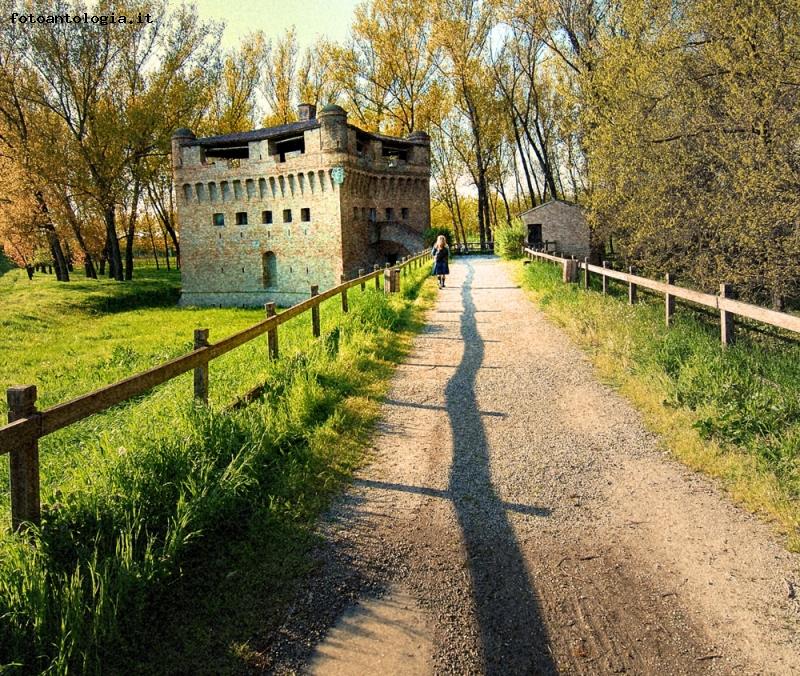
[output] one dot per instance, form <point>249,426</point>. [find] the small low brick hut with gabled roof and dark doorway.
<point>559,224</point>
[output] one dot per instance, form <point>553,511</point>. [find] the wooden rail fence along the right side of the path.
<point>724,303</point>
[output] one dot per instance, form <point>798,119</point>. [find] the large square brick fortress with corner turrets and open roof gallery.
<point>265,214</point>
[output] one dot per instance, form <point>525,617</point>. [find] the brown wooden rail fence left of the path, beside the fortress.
<point>20,438</point>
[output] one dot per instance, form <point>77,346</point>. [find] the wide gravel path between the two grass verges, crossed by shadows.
<point>519,519</point>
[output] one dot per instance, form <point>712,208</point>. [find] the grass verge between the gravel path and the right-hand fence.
<point>733,413</point>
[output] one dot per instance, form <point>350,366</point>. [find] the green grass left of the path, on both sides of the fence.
<point>162,513</point>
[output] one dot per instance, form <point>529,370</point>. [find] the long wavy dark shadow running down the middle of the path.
<point>512,630</point>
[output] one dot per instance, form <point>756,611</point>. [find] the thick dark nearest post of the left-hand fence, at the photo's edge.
<point>24,462</point>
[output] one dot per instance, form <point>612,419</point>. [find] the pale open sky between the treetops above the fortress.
<point>311,18</point>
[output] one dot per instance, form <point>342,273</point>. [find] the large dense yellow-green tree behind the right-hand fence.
<point>694,153</point>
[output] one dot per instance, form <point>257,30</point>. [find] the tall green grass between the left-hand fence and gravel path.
<point>163,485</point>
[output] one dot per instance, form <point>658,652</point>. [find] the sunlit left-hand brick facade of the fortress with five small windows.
<point>222,265</point>
